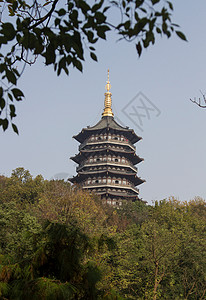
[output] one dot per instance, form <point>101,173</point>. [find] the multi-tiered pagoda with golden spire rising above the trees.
<point>107,158</point>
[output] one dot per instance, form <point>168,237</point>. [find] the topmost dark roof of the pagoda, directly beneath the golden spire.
<point>107,122</point>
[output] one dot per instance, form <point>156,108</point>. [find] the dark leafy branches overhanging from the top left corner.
<point>61,31</point>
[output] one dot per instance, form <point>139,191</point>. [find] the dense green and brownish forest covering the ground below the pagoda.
<point>58,242</point>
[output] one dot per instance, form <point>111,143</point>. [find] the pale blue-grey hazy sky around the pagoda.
<point>168,74</point>
